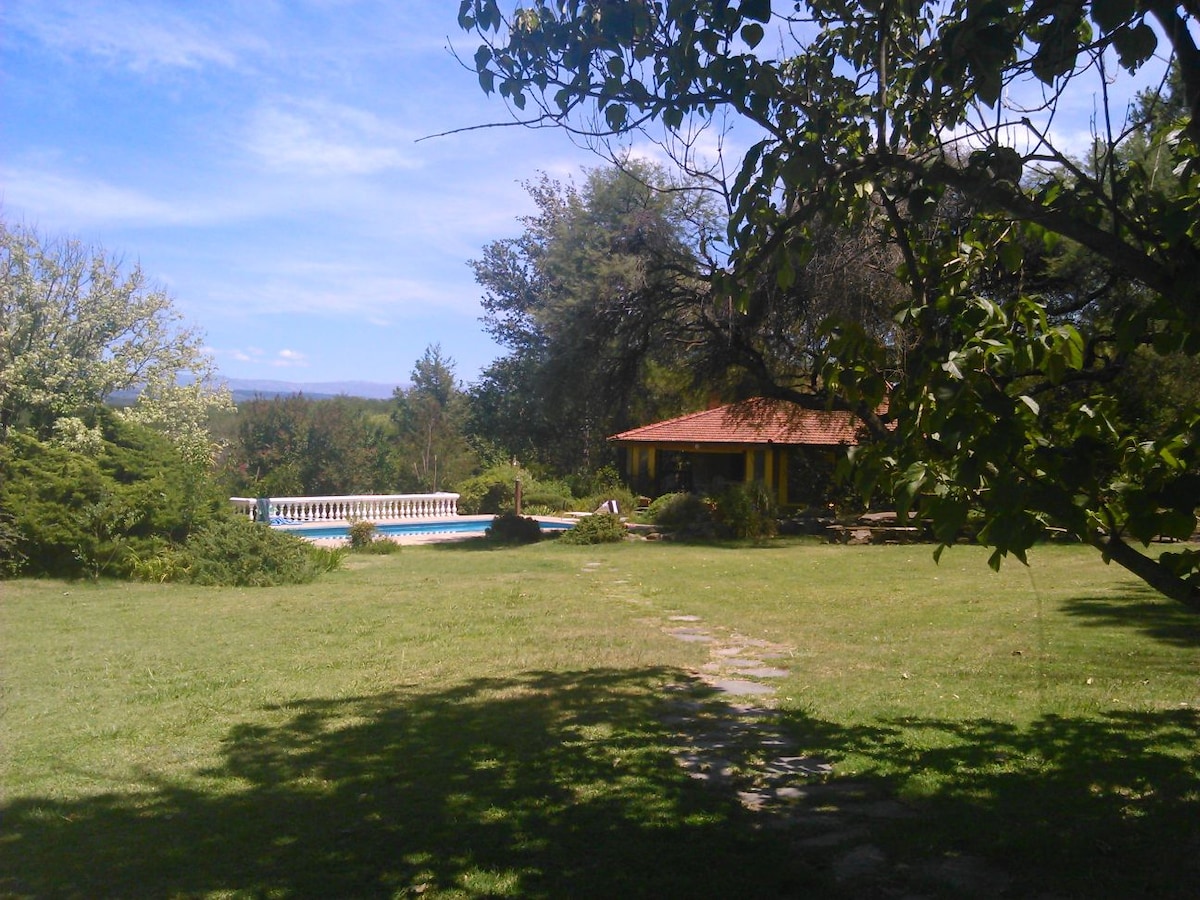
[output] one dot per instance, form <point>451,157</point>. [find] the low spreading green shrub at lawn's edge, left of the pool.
<point>237,553</point>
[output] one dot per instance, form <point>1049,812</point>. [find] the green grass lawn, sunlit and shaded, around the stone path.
<point>457,722</point>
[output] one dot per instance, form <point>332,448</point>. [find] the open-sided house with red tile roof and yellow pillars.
<point>790,449</point>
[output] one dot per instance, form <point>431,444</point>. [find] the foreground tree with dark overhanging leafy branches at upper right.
<point>937,124</point>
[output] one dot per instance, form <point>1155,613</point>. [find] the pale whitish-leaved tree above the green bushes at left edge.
<point>77,328</point>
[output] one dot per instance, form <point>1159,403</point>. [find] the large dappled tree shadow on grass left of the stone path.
<point>547,785</point>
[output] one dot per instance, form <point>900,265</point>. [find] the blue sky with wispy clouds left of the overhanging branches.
<point>261,161</point>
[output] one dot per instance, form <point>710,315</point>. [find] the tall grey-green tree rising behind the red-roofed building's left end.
<point>597,302</point>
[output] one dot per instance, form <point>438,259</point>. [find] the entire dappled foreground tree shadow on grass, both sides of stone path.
<point>551,785</point>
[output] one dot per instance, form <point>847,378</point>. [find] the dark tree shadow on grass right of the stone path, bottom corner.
<point>1096,807</point>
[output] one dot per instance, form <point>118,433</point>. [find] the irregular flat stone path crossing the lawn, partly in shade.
<point>728,739</point>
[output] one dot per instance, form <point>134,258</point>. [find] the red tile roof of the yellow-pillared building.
<point>752,422</point>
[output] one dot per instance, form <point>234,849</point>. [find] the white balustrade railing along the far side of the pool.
<point>370,507</point>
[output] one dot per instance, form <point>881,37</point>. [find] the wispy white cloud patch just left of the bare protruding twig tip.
<point>319,139</point>
